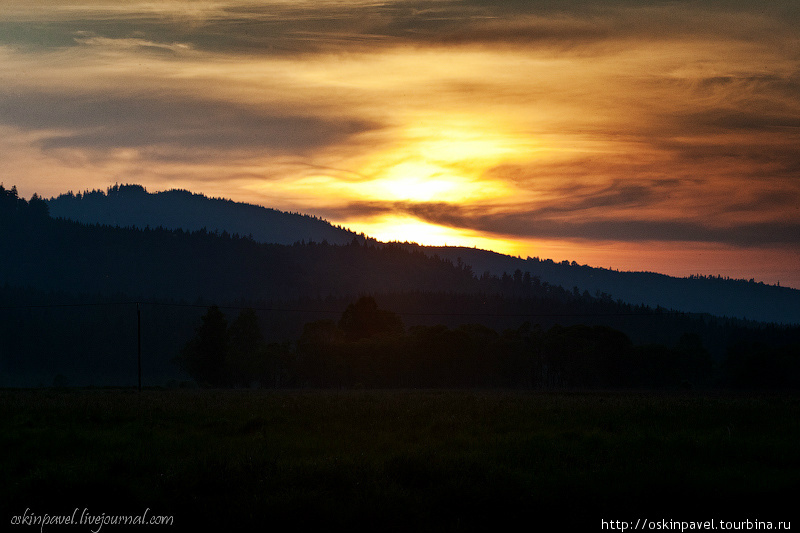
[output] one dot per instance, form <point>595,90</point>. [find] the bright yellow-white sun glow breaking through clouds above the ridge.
<point>435,163</point>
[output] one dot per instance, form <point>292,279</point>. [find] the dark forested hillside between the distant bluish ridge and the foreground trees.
<point>67,295</point>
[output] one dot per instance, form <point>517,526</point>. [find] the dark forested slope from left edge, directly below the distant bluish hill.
<point>56,254</point>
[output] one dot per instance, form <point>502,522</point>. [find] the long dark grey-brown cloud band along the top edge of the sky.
<point>287,28</point>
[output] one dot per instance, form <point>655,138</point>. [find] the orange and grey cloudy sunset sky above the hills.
<point>635,135</point>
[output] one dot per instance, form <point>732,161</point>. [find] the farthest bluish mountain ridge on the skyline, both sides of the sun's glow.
<point>133,206</point>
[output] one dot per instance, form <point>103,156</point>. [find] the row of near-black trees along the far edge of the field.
<point>370,348</point>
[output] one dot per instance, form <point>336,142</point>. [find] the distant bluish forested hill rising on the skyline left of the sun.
<point>133,206</point>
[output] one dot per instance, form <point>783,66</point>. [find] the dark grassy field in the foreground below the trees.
<point>397,461</point>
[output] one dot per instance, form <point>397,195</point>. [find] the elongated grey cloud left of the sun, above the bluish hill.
<point>104,121</point>
